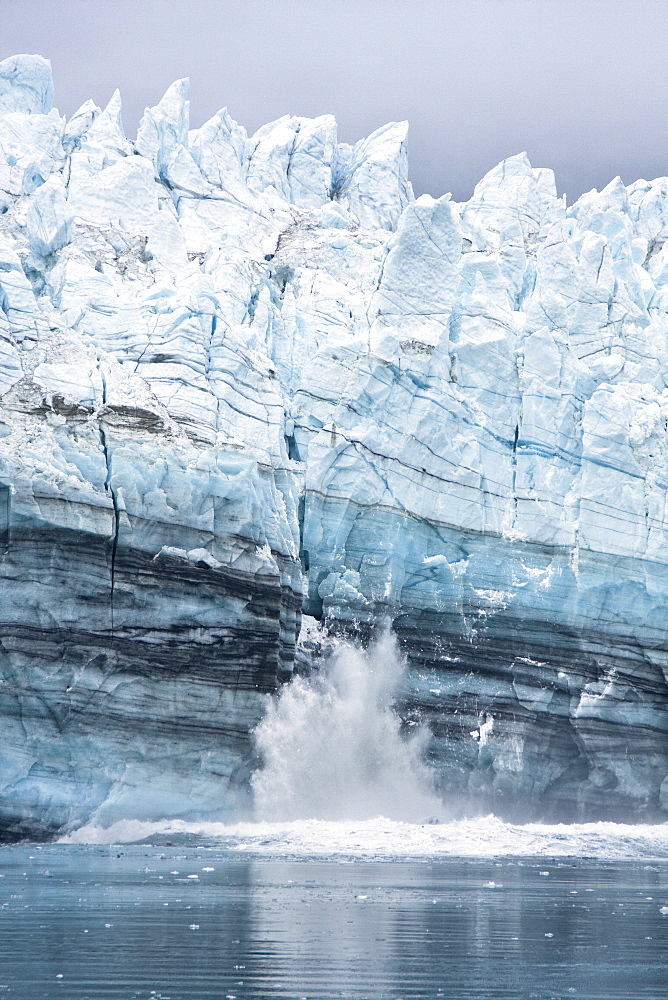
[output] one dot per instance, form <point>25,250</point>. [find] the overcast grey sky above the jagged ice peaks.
<point>582,85</point>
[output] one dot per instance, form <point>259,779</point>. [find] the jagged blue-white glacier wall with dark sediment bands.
<point>245,378</point>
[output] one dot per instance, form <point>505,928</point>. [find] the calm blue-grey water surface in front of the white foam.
<point>176,922</point>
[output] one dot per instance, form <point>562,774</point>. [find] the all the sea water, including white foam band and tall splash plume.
<point>347,884</point>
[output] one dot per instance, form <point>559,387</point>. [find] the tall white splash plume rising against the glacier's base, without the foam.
<point>332,745</point>
